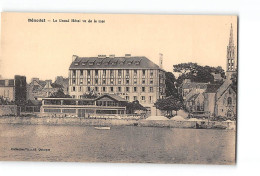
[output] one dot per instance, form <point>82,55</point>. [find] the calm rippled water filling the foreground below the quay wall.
<point>120,144</point>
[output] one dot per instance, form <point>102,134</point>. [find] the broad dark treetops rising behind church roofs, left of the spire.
<point>197,73</point>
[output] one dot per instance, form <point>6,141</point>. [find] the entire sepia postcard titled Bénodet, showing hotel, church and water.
<point>121,88</point>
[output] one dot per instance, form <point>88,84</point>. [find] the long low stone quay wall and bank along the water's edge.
<point>200,124</point>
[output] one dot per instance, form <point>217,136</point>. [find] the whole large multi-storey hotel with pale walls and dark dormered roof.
<point>130,77</point>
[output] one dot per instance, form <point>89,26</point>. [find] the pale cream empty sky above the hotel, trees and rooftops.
<point>45,49</point>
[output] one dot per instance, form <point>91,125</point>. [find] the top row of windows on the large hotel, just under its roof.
<point>112,72</point>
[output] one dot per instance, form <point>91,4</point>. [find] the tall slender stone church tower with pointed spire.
<point>231,56</point>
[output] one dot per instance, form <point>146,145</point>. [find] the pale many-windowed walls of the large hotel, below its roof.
<point>87,80</point>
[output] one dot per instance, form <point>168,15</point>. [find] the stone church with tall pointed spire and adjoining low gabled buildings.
<point>214,100</point>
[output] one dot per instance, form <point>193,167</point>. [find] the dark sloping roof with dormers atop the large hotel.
<point>130,62</point>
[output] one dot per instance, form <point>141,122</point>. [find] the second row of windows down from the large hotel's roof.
<point>112,81</point>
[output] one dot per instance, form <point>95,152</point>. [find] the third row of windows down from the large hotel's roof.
<point>111,89</point>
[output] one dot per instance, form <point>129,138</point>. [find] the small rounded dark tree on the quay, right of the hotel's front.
<point>169,104</point>
